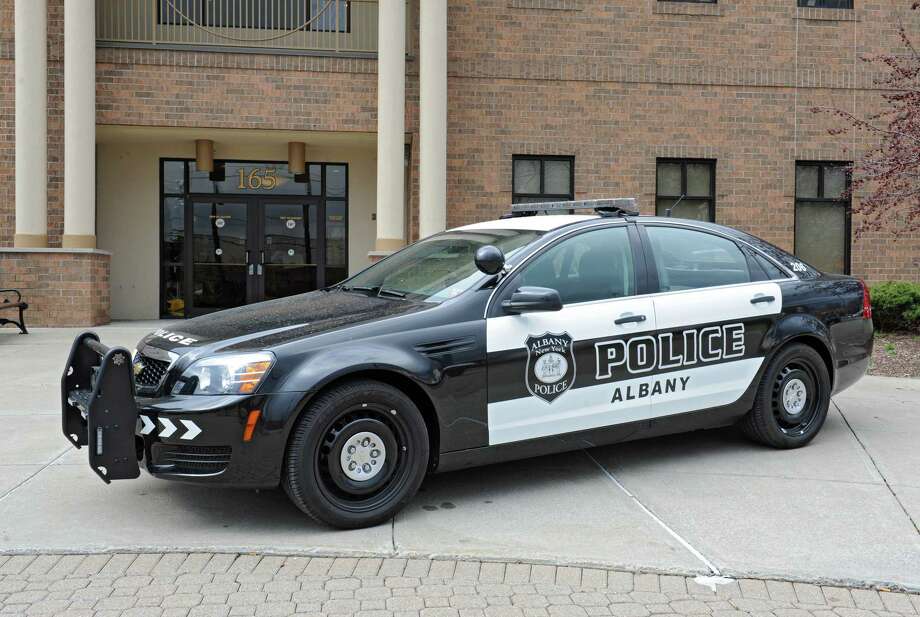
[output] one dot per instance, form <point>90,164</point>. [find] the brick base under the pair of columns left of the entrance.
<point>64,287</point>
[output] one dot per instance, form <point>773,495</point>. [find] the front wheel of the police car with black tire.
<point>341,423</point>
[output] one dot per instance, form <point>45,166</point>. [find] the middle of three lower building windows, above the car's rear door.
<point>687,187</point>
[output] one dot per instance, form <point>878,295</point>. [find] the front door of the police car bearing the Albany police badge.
<point>554,372</point>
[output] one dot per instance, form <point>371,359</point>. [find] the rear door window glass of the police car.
<point>688,259</point>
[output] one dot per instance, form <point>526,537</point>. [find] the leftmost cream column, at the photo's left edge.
<point>31,18</point>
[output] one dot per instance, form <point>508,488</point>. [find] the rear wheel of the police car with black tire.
<point>792,399</point>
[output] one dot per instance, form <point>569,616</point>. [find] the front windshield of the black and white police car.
<point>438,268</point>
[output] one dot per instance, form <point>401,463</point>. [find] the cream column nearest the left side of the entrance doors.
<point>79,124</point>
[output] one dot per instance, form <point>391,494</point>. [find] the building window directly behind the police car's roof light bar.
<point>543,178</point>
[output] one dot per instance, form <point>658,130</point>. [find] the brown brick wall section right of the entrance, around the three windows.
<point>617,84</point>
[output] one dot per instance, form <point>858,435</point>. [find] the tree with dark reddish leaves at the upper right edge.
<point>889,172</point>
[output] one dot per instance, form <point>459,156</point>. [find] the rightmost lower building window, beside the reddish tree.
<point>822,215</point>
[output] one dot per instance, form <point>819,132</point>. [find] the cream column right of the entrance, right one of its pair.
<point>433,117</point>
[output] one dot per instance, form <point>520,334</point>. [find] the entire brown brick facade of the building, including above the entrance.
<point>616,84</point>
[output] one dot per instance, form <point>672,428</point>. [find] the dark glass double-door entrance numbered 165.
<point>246,247</point>
